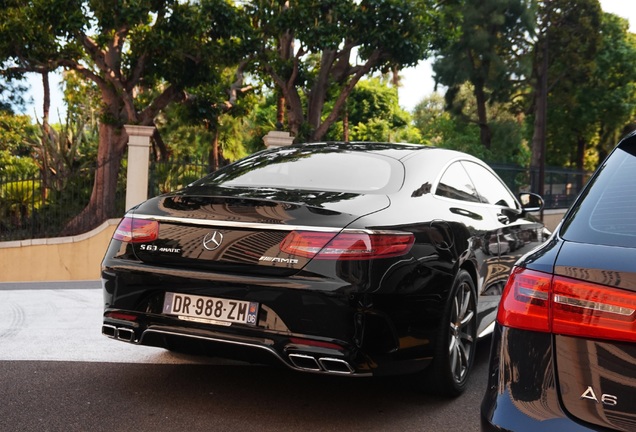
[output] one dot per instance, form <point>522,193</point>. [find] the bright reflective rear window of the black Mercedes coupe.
<point>296,168</point>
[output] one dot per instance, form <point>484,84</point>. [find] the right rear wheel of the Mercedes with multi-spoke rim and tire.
<point>455,345</point>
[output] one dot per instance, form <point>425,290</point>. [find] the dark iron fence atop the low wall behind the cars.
<point>34,207</point>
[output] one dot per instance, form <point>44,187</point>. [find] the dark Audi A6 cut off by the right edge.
<point>564,348</point>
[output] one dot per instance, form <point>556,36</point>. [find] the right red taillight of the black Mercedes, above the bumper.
<point>346,245</point>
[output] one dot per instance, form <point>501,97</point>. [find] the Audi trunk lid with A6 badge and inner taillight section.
<point>596,361</point>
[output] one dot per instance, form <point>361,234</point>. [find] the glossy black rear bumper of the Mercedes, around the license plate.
<point>331,328</point>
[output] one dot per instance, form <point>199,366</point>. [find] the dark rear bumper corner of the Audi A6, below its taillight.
<point>522,392</point>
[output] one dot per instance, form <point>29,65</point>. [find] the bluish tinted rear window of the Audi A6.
<point>606,213</point>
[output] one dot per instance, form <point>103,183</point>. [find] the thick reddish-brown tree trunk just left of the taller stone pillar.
<point>102,202</point>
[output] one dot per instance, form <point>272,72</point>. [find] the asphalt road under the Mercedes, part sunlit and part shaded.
<point>57,373</point>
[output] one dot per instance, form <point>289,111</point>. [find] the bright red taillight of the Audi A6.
<point>541,302</point>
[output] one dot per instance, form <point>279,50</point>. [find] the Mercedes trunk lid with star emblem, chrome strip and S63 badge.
<point>243,232</point>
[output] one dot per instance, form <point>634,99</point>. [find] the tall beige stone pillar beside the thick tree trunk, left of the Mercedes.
<point>138,161</point>
